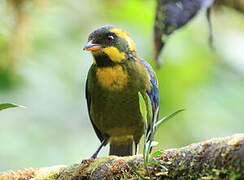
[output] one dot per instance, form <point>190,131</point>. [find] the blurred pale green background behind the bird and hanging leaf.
<point>43,67</point>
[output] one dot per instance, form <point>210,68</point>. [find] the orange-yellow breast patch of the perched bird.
<point>112,78</point>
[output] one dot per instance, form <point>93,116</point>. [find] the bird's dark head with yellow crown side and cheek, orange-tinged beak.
<point>110,45</point>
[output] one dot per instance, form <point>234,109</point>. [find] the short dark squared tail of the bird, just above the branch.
<point>121,149</point>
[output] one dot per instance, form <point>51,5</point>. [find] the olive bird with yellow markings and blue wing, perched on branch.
<point>119,84</point>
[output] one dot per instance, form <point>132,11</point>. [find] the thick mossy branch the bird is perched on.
<point>220,158</point>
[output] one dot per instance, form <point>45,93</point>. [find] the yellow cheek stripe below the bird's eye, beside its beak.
<point>114,54</point>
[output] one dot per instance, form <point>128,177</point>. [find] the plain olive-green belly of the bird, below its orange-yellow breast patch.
<point>117,114</point>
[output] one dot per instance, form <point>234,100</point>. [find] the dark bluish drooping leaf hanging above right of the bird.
<point>172,15</point>
